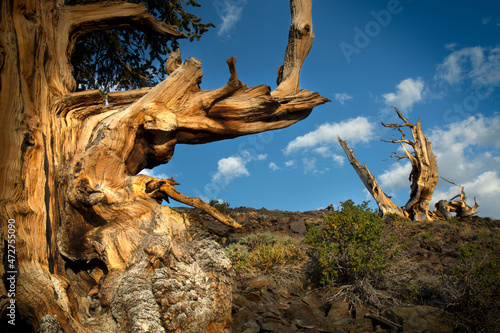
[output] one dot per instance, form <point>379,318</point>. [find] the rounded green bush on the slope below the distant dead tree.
<point>350,244</point>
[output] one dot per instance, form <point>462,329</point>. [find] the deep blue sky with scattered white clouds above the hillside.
<point>437,61</point>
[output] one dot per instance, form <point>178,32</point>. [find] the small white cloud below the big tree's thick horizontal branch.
<point>232,167</point>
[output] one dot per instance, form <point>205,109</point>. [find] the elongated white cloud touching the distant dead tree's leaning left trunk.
<point>354,130</point>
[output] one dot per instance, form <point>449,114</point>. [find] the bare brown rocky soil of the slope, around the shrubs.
<point>415,295</point>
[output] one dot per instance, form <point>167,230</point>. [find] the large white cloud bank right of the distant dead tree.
<point>468,153</point>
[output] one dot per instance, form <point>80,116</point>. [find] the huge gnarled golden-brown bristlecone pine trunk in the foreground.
<point>95,249</point>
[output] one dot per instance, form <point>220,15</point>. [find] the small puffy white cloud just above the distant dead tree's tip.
<point>408,92</point>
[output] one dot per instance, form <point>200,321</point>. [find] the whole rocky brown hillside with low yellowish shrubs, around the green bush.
<point>442,278</point>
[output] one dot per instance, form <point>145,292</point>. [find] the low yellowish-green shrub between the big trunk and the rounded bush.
<point>264,252</point>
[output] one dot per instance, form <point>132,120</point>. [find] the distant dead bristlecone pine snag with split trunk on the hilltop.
<point>423,177</point>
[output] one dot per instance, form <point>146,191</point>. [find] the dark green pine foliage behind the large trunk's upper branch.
<point>131,58</point>
